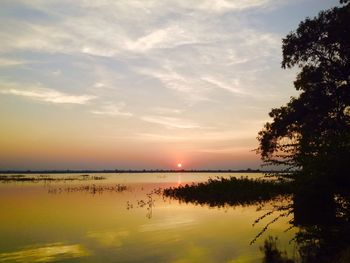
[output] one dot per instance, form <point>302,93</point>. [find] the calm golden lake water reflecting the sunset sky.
<point>88,221</point>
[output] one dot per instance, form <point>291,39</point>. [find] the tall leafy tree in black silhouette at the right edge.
<point>310,135</point>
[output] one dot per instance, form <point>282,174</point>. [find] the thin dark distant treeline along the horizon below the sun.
<point>132,171</point>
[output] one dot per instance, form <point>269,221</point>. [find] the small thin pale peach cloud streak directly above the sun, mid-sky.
<point>171,122</point>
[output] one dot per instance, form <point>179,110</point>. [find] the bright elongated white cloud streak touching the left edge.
<point>46,95</point>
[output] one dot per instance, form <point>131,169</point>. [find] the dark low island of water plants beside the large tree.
<point>230,191</point>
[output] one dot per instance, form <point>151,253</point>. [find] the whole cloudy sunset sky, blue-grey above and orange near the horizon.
<point>142,84</point>
